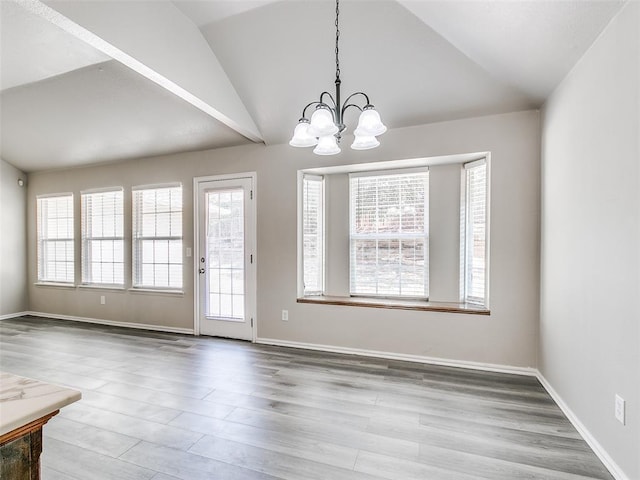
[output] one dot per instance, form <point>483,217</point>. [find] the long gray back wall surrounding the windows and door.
<point>507,337</point>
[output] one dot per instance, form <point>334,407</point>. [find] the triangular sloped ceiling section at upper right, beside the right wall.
<point>531,45</point>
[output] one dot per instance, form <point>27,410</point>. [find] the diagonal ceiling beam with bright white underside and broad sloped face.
<point>157,41</point>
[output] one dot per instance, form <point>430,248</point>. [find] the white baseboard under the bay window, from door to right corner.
<point>488,367</point>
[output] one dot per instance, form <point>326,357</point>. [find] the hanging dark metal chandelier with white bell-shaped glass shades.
<point>324,129</point>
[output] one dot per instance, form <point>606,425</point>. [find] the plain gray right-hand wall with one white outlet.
<point>590,336</point>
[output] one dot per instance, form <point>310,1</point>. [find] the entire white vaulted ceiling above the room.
<point>94,81</point>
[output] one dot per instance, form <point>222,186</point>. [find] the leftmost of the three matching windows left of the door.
<point>55,238</point>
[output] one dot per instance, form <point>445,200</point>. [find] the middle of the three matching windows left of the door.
<point>103,237</point>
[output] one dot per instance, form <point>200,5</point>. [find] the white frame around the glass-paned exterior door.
<point>250,241</point>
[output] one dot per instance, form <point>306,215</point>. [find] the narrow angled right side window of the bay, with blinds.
<point>474,232</point>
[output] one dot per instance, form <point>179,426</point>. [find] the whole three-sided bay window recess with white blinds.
<point>406,234</point>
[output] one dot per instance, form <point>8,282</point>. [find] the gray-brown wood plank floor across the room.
<point>165,407</point>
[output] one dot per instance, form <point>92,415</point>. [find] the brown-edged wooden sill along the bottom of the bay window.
<point>399,304</point>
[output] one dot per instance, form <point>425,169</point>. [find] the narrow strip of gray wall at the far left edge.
<point>13,241</point>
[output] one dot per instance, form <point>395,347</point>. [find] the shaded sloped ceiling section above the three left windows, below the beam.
<point>101,113</point>
